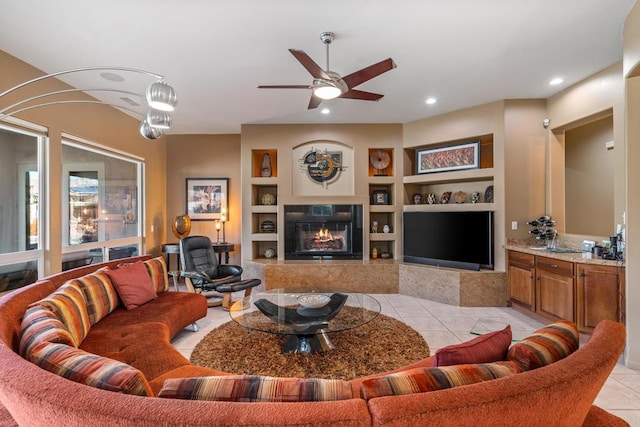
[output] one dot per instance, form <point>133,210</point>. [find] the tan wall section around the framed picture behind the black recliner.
<point>204,156</point>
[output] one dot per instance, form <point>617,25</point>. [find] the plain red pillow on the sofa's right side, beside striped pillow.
<point>487,348</point>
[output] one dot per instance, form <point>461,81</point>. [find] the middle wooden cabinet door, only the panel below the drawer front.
<point>554,294</point>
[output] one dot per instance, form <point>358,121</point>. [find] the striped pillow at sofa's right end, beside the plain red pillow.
<point>546,345</point>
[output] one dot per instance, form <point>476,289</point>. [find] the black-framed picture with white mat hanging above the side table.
<point>207,199</point>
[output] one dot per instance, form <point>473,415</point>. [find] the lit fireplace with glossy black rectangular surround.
<point>323,231</point>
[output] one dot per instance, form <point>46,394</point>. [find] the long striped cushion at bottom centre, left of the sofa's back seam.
<point>254,388</point>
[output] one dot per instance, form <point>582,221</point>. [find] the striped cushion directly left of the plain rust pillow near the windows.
<point>100,294</point>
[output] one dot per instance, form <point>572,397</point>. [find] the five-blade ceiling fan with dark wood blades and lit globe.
<point>328,84</point>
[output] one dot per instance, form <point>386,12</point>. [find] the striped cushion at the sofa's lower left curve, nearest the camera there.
<point>90,369</point>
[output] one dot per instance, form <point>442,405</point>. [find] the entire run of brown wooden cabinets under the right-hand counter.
<point>551,289</point>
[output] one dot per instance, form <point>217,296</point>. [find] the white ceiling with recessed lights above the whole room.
<point>215,52</point>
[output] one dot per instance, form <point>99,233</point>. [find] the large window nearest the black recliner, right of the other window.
<point>101,204</point>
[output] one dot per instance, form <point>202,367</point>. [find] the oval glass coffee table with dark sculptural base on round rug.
<point>306,317</point>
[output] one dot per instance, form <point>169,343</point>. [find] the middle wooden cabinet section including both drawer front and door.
<point>554,289</point>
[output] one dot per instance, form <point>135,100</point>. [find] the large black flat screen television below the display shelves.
<point>449,239</point>
